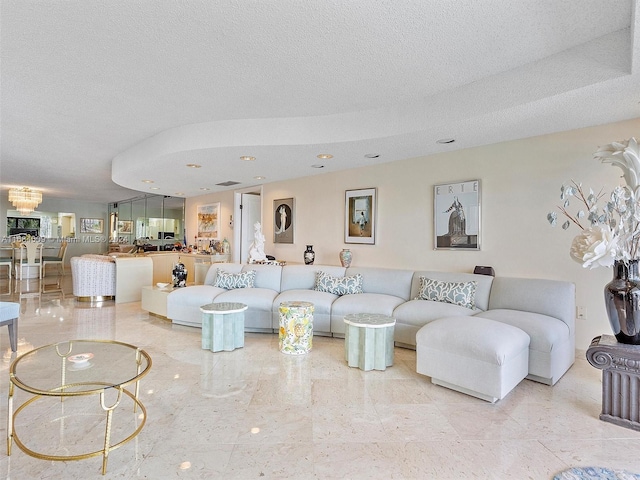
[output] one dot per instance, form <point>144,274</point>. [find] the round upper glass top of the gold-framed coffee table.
<point>78,367</point>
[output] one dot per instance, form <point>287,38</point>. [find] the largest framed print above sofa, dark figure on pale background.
<point>457,215</point>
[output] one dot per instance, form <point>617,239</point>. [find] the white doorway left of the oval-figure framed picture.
<point>247,211</point>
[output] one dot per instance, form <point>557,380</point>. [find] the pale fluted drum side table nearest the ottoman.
<point>368,340</point>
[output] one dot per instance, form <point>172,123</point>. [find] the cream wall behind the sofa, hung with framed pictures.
<point>520,184</point>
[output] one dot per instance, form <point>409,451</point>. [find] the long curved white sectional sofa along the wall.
<point>543,309</point>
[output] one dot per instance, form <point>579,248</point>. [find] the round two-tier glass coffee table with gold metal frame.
<point>78,368</point>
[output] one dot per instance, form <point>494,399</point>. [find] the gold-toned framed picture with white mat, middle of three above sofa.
<point>360,216</point>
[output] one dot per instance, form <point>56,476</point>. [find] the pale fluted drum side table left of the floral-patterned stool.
<point>223,326</point>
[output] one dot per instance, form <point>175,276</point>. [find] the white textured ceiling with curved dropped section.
<point>98,95</point>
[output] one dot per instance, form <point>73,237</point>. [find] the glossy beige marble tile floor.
<point>256,413</point>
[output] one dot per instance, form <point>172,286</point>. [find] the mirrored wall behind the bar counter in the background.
<point>153,222</point>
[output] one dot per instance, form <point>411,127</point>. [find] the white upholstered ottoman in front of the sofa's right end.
<point>475,356</point>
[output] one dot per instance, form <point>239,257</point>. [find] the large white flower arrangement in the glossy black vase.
<point>612,231</point>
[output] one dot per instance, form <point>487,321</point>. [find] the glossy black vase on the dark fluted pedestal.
<point>622,301</point>
